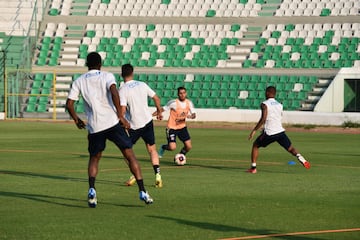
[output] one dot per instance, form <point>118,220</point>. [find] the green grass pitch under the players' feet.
<point>43,172</point>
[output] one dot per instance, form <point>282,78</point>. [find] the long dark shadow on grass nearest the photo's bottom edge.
<point>228,228</point>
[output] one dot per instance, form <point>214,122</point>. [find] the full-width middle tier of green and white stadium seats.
<point>204,45</point>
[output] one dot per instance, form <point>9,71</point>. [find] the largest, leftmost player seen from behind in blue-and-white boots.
<point>102,107</point>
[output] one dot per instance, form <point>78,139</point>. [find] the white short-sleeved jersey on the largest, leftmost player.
<point>94,86</point>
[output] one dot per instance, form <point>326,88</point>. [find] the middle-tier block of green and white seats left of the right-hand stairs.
<point>160,45</point>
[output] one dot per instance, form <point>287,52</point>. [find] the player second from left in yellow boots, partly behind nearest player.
<point>134,105</point>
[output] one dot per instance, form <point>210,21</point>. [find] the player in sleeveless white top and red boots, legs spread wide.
<point>271,114</point>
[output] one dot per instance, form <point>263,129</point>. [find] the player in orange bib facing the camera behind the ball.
<point>180,109</point>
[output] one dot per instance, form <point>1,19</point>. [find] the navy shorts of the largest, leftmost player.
<point>116,134</point>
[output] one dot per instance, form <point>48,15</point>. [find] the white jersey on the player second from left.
<point>134,95</point>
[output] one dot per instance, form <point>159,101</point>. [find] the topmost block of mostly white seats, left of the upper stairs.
<point>160,8</point>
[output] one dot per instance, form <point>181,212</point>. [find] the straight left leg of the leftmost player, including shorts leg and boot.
<point>96,144</point>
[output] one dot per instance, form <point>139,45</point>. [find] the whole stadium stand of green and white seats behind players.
<point>224,52</point>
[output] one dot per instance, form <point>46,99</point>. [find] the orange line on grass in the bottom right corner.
<point>294,234</point>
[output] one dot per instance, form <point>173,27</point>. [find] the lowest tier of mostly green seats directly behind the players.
<point>205,90</point>
